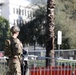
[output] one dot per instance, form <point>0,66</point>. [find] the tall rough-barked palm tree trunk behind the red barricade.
<point>50,33</point>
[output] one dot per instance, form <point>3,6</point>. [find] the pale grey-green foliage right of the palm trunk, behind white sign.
<point>65,21</point>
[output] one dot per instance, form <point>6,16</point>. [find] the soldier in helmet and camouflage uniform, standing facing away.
<point>13,49</point>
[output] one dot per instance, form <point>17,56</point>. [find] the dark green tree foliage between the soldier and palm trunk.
<point>36,28</point>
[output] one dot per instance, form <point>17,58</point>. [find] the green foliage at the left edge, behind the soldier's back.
<point>4,31</point>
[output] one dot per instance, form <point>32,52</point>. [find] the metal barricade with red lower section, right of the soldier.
<point>62,67</point>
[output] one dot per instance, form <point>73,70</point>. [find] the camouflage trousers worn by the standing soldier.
<point>14,66</point>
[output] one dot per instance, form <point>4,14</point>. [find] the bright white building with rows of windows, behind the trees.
<point>16,11</point>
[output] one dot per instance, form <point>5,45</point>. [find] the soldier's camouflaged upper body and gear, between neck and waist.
<point>12,47</point>
